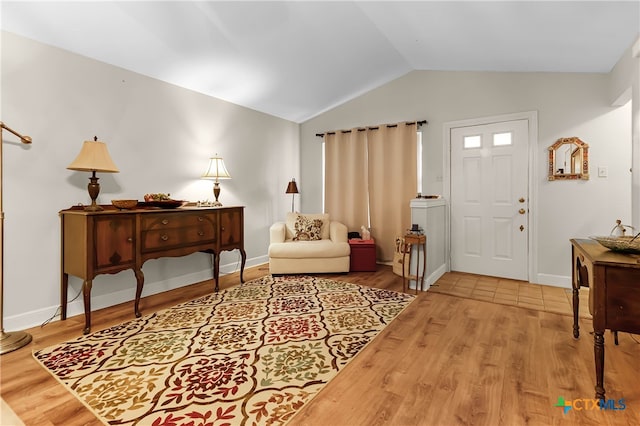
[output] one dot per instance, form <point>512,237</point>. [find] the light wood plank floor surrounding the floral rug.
<point>446,360</point>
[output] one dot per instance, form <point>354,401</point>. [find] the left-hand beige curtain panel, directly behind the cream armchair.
<point>346,178</point>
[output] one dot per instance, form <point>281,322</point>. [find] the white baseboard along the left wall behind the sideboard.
<point>40,316</point>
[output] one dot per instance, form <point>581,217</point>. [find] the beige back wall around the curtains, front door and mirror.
<point>567,105</point>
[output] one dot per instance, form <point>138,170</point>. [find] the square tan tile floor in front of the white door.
<point>512,292</point>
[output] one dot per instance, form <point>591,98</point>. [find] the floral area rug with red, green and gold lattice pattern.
<point>253,354</point>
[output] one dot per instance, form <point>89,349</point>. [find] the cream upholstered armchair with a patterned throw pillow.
<point>308,243</point>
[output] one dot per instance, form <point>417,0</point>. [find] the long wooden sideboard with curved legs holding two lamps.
<point>110,241</point>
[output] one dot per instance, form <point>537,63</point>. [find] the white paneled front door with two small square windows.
<point>489,199</point>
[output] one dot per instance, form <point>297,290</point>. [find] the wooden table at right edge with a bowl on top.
<point>614,294</point>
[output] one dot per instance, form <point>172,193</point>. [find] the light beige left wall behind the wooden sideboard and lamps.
<point>160,137</point>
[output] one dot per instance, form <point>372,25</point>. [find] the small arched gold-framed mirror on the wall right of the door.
<point>569,159</point>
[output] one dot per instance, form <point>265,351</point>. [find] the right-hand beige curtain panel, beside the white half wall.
<point>392,183</point>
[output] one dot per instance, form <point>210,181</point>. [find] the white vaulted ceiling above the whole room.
<point>297,59</point>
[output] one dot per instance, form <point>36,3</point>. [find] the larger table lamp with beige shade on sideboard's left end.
<point>94,157</point>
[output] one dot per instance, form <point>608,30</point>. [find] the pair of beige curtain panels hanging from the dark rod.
<point>370,178</point>
